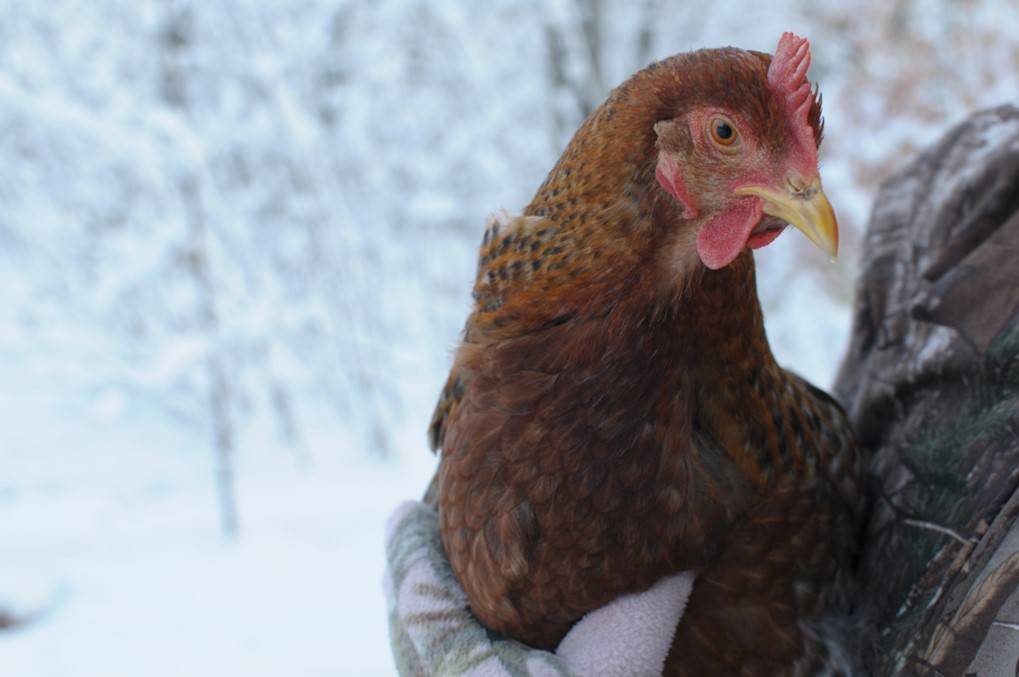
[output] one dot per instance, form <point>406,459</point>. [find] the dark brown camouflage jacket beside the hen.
<point>932,387</point>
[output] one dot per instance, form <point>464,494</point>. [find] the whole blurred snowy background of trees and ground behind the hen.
<point>237,245</point>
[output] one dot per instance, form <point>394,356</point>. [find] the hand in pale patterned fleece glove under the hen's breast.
<point>434,633</point>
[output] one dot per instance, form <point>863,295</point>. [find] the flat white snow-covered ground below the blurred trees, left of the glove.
<point>157,593</point>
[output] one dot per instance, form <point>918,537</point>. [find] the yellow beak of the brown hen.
<point>806,207</point>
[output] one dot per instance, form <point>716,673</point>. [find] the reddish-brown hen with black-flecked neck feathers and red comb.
<point>615,414</point>
